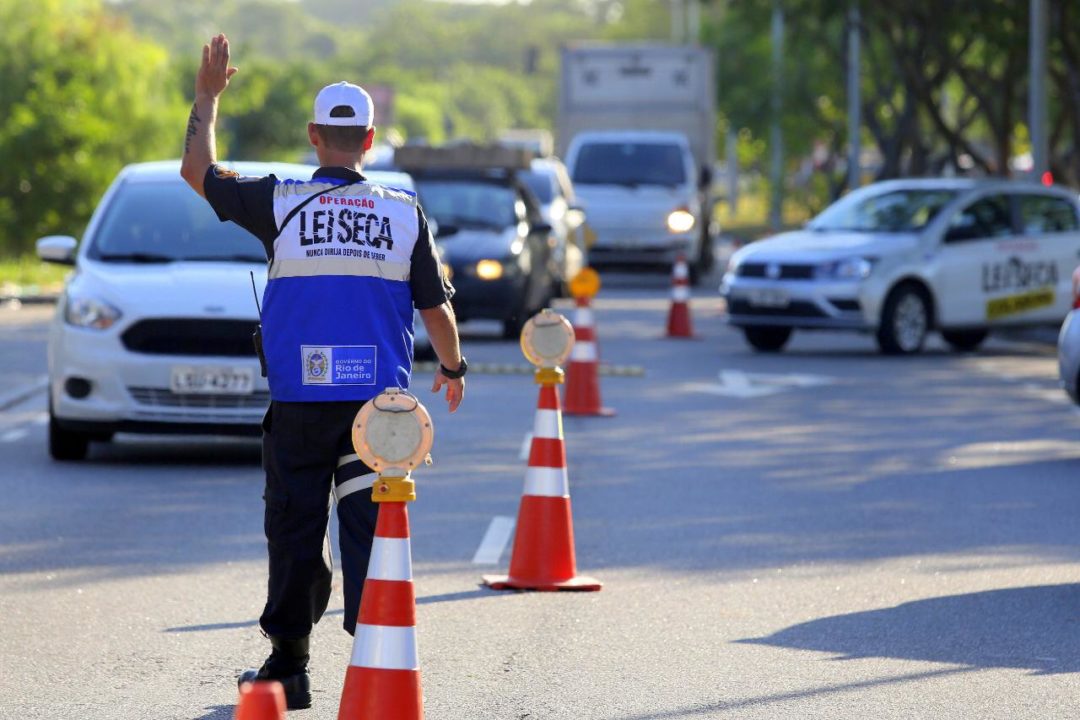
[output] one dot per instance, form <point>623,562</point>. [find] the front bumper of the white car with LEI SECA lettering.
<point>805,305</point>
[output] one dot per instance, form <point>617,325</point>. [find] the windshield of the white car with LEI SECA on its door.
<point>897,211</point>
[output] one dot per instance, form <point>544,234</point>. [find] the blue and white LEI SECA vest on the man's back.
<point>337,315</point>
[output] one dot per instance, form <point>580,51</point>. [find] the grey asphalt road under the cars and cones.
<point>822,534</point>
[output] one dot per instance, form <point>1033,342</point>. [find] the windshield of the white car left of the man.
<point>167,222</point>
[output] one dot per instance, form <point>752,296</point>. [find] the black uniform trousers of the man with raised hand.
<point>307,451</point>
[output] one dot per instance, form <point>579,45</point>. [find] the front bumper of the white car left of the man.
<point>130,392</point>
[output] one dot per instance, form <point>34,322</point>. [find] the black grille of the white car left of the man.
<point>225,338</point>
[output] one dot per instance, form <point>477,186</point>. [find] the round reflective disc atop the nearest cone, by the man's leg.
<point>394,430</point>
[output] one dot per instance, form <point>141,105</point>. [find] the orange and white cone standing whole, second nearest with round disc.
<point>543,559</point>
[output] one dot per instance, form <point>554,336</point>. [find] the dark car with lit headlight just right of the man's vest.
<point>492,235</point>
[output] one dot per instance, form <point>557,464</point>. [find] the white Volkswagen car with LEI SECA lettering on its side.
<point>901,259</point>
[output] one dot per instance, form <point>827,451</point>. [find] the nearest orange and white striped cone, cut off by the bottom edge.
<point>384,677</point>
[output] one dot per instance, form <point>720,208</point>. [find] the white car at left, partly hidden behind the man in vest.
<point>154,331</point>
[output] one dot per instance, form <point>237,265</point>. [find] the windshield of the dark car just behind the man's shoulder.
<point>467,205</point>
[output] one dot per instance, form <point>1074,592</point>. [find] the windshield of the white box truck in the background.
<point>630,165</point>
